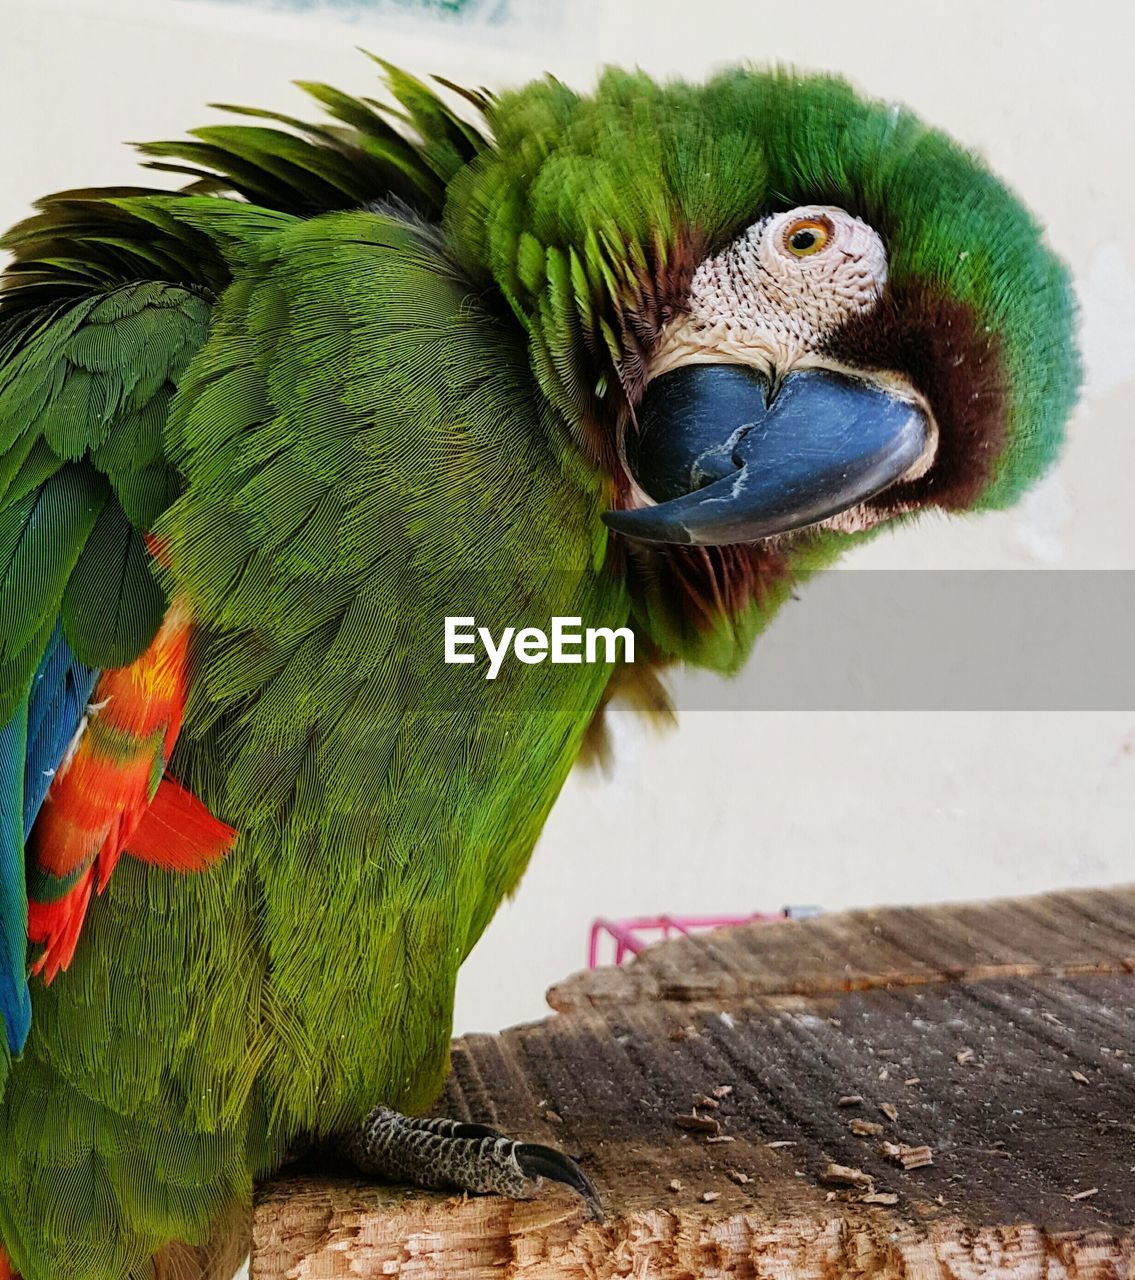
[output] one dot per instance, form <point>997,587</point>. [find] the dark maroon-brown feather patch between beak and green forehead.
<point>939,346</point>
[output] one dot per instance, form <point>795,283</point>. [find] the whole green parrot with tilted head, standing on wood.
<point>644,359</point>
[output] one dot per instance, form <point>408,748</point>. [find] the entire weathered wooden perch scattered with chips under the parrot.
<point>939,1092</point>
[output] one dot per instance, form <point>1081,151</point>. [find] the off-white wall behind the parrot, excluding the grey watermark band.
<point>826,808</point>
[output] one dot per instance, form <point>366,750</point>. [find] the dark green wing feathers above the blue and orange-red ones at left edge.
<point>83,406</point>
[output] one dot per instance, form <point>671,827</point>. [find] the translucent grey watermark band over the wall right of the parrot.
<point>940,641</point>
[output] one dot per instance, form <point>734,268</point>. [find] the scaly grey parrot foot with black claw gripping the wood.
<point>448,1154</point>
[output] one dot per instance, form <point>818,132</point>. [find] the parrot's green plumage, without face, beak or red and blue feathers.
<point>393,419</point>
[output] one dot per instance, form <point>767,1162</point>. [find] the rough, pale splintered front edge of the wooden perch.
<point>365,1235</point>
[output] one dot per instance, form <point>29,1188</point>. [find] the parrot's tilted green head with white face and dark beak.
<point>775,317</point>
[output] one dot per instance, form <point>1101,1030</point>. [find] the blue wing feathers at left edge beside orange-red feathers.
<point>33,746</point>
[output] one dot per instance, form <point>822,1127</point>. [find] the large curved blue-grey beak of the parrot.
<point>730,460</point>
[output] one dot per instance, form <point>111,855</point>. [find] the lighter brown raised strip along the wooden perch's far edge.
<point>1054,934</point>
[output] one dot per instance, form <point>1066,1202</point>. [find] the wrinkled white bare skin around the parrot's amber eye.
<point>774,295</point>
